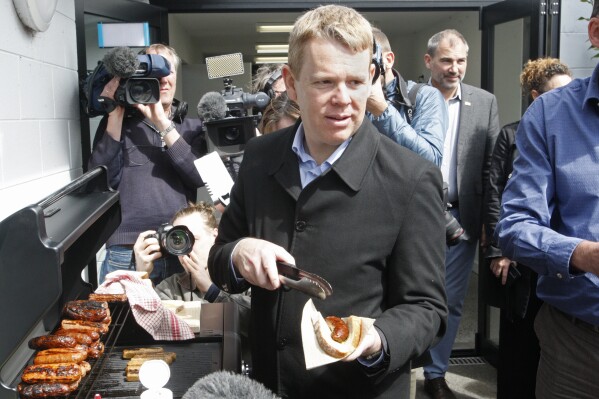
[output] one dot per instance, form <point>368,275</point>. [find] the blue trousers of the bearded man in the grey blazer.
<point>458,268</point>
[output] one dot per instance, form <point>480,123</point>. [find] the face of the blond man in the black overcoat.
<point>331,91</point>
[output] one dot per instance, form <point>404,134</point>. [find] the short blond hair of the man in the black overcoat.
<point>332,22</point>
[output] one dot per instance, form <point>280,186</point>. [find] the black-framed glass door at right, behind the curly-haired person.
<point>513,32</point>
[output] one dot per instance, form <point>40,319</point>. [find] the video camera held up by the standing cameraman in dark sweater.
<point>139,83</point>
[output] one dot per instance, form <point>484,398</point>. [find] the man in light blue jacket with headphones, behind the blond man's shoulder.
<point>422,132</point>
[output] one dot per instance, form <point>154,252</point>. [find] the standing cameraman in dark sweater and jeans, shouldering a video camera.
<point>149,151</point>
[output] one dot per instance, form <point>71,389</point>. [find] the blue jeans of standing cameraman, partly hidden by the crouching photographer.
<point>121,258</point>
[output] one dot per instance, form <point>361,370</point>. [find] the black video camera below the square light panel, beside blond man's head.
<point>229,135</point>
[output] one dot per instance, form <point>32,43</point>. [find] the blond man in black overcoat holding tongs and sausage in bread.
<point>333,196</point>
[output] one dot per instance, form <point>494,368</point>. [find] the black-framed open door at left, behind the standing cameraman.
<point>87,14</point>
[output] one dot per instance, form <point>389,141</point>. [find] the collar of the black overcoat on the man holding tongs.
<point>351,167</point>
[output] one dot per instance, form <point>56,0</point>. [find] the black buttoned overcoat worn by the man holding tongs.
<point>372,226</point>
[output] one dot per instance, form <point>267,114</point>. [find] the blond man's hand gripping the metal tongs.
<point>256,260</point>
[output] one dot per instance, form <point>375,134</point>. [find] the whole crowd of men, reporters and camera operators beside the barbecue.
<point>346,180</point>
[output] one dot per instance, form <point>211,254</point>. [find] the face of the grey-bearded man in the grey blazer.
<point>448,65</point>
